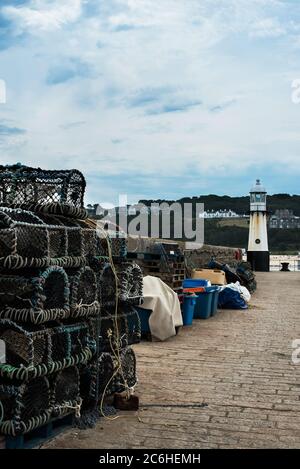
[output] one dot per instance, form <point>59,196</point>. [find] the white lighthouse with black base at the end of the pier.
<point>258,252</point>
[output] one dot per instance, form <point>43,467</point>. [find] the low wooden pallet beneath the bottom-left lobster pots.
<point>40,435</point>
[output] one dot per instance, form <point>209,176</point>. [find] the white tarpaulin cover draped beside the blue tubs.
<point>164,303</point>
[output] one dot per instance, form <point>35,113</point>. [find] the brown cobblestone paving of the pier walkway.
<point>238,364</point>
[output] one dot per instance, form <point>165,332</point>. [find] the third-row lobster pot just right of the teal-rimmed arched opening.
<point>84,293</point>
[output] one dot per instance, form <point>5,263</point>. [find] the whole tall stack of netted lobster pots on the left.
<point>61,349</point>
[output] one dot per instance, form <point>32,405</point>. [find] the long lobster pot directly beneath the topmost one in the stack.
<point>28,240</point>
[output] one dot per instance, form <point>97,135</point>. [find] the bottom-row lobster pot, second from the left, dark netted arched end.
<point>65,390</point>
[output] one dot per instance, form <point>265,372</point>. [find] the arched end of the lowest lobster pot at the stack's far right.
<point>127,371</point>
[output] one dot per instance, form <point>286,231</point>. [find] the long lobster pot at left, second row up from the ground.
<point>39,349</point>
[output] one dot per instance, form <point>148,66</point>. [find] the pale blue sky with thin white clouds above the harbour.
<point>153,98</point>
